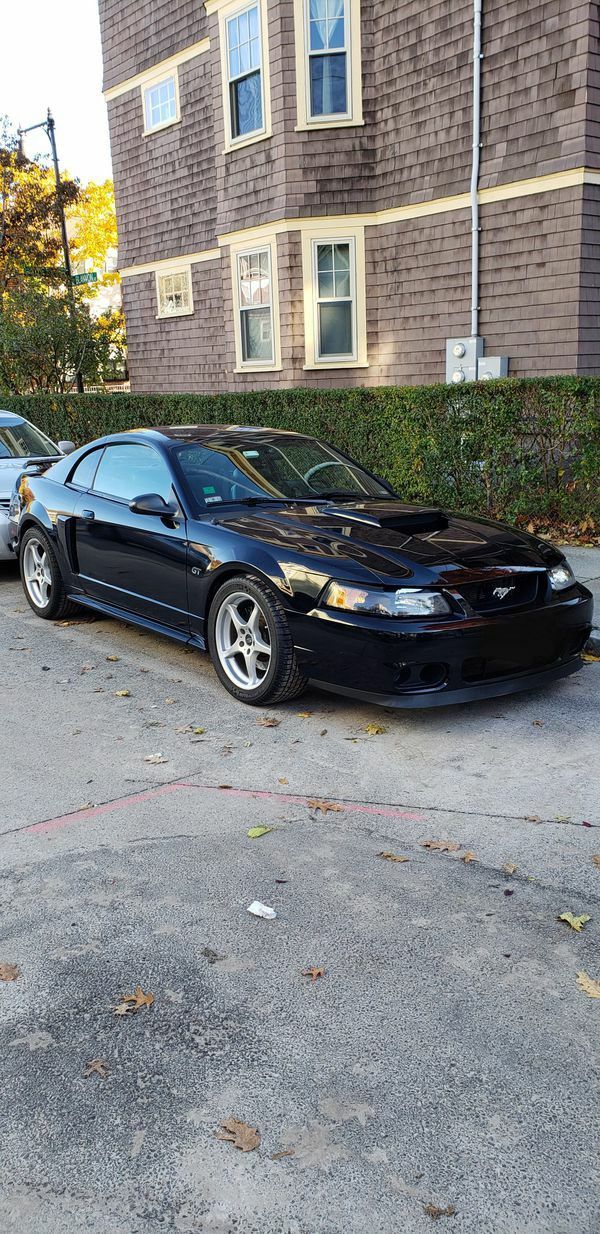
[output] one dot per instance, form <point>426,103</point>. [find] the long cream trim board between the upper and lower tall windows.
<point>262,233</point>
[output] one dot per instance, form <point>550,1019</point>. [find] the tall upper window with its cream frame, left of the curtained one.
<point>245,68</point>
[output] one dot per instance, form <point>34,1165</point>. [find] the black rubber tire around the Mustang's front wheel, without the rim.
<point>282,679</point>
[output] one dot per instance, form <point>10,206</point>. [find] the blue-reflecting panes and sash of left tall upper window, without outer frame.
<point>245,73</point>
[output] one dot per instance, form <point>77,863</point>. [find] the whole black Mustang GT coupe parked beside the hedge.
<point>291,563</point>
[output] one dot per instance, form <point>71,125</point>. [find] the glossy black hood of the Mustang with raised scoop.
<point>394,540</point>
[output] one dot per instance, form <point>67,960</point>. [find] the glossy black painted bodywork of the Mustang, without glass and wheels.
<point>162,573</point>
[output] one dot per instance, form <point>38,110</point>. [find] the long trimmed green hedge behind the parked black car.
<point>517,450</point>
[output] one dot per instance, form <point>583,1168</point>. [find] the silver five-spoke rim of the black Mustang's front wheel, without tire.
<point>243,641</point>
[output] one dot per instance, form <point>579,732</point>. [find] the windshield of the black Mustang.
<point>273,470</point>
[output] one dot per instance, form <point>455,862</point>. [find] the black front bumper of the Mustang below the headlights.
<point>431,665</point>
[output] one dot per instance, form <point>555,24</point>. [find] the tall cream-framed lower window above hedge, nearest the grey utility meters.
<point>335,307</point>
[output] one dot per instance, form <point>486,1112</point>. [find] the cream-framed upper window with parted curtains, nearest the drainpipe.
<point>329,70</point>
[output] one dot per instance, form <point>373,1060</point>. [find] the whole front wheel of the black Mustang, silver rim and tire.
<point>251,645</point>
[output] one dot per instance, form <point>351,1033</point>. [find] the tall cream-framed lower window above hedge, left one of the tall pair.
<point>256,305</point>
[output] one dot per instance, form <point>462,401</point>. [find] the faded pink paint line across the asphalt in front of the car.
<point>81,816</point>
